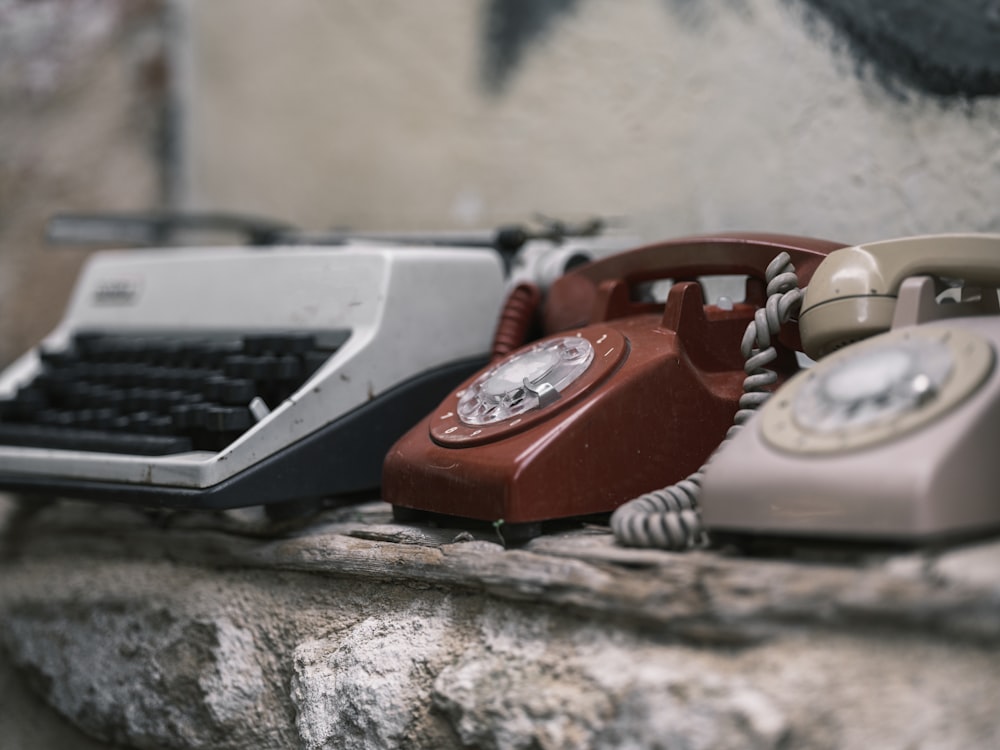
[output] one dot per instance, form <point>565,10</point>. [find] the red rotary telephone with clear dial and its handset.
<point>622,395</point>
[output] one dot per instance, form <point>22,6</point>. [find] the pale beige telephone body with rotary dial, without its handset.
<point>925,474</point>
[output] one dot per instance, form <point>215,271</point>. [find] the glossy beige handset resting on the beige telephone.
<point>852,295</point>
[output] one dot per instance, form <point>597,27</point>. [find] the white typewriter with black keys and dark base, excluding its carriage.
<point>235,376</point>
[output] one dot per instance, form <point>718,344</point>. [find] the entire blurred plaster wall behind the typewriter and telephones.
<point>838,118</point>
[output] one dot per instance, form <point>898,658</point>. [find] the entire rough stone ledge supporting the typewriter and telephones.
<point>349,631</point>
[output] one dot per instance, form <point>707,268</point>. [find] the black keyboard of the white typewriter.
<point>159,394</point>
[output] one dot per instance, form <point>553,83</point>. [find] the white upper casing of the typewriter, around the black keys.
<point>408,311</point>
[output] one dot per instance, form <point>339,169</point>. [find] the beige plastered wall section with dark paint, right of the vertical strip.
<point>819,116</point>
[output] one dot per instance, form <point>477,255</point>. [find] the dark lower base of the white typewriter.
<point>344,457</point>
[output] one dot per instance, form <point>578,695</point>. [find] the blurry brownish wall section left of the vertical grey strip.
<point>82,92</point>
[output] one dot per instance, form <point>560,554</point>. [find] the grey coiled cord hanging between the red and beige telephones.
<point>669,518</point>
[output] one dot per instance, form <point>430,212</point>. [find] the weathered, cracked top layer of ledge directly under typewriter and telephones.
<point>695,595</point>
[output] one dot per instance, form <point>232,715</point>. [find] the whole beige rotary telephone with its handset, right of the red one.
<point>893,438</point>
